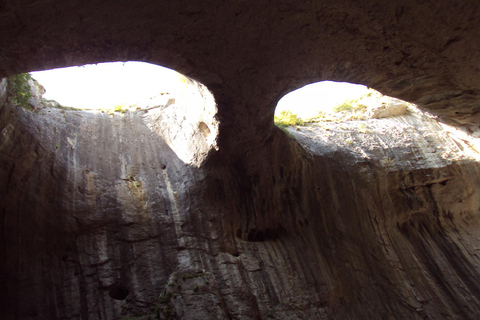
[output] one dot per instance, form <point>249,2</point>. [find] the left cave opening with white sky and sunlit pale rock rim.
<point>168,105</point>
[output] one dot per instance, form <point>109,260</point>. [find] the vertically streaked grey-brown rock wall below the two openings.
<point>100,219</point>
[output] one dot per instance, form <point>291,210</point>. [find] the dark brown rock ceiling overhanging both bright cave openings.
<point>251,55</point>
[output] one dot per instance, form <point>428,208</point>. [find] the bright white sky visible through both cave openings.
<point>106,85</point>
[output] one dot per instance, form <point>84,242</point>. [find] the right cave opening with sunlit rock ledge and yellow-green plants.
<point>329,117</point>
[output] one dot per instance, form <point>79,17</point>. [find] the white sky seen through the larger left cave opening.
<point>106,85</point>
